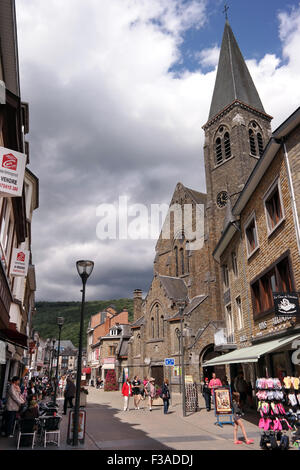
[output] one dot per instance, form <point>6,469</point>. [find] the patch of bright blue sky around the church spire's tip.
<point>254,23</point>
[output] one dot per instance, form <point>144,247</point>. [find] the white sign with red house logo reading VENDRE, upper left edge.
<point>12,169</point>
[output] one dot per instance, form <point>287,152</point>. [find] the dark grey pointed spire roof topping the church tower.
<point>233,80</point>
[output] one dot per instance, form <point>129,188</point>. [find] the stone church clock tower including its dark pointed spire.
<point>236,133</point>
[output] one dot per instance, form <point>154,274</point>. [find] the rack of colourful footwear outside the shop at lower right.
<point>279,409</point>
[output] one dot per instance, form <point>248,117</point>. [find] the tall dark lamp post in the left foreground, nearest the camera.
<point>84,269</point>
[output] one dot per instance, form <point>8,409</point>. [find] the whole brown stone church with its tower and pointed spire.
<point>186,298</point>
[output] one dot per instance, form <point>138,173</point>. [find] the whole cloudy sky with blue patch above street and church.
<point>118,92</point>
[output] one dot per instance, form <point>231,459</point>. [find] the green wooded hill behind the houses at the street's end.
<point>44,320</point>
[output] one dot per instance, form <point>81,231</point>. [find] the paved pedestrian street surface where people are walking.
<point>110,428</point>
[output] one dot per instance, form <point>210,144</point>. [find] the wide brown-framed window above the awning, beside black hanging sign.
<point>277,279</point>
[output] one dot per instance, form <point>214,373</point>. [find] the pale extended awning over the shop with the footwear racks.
<point>252,353</point>
